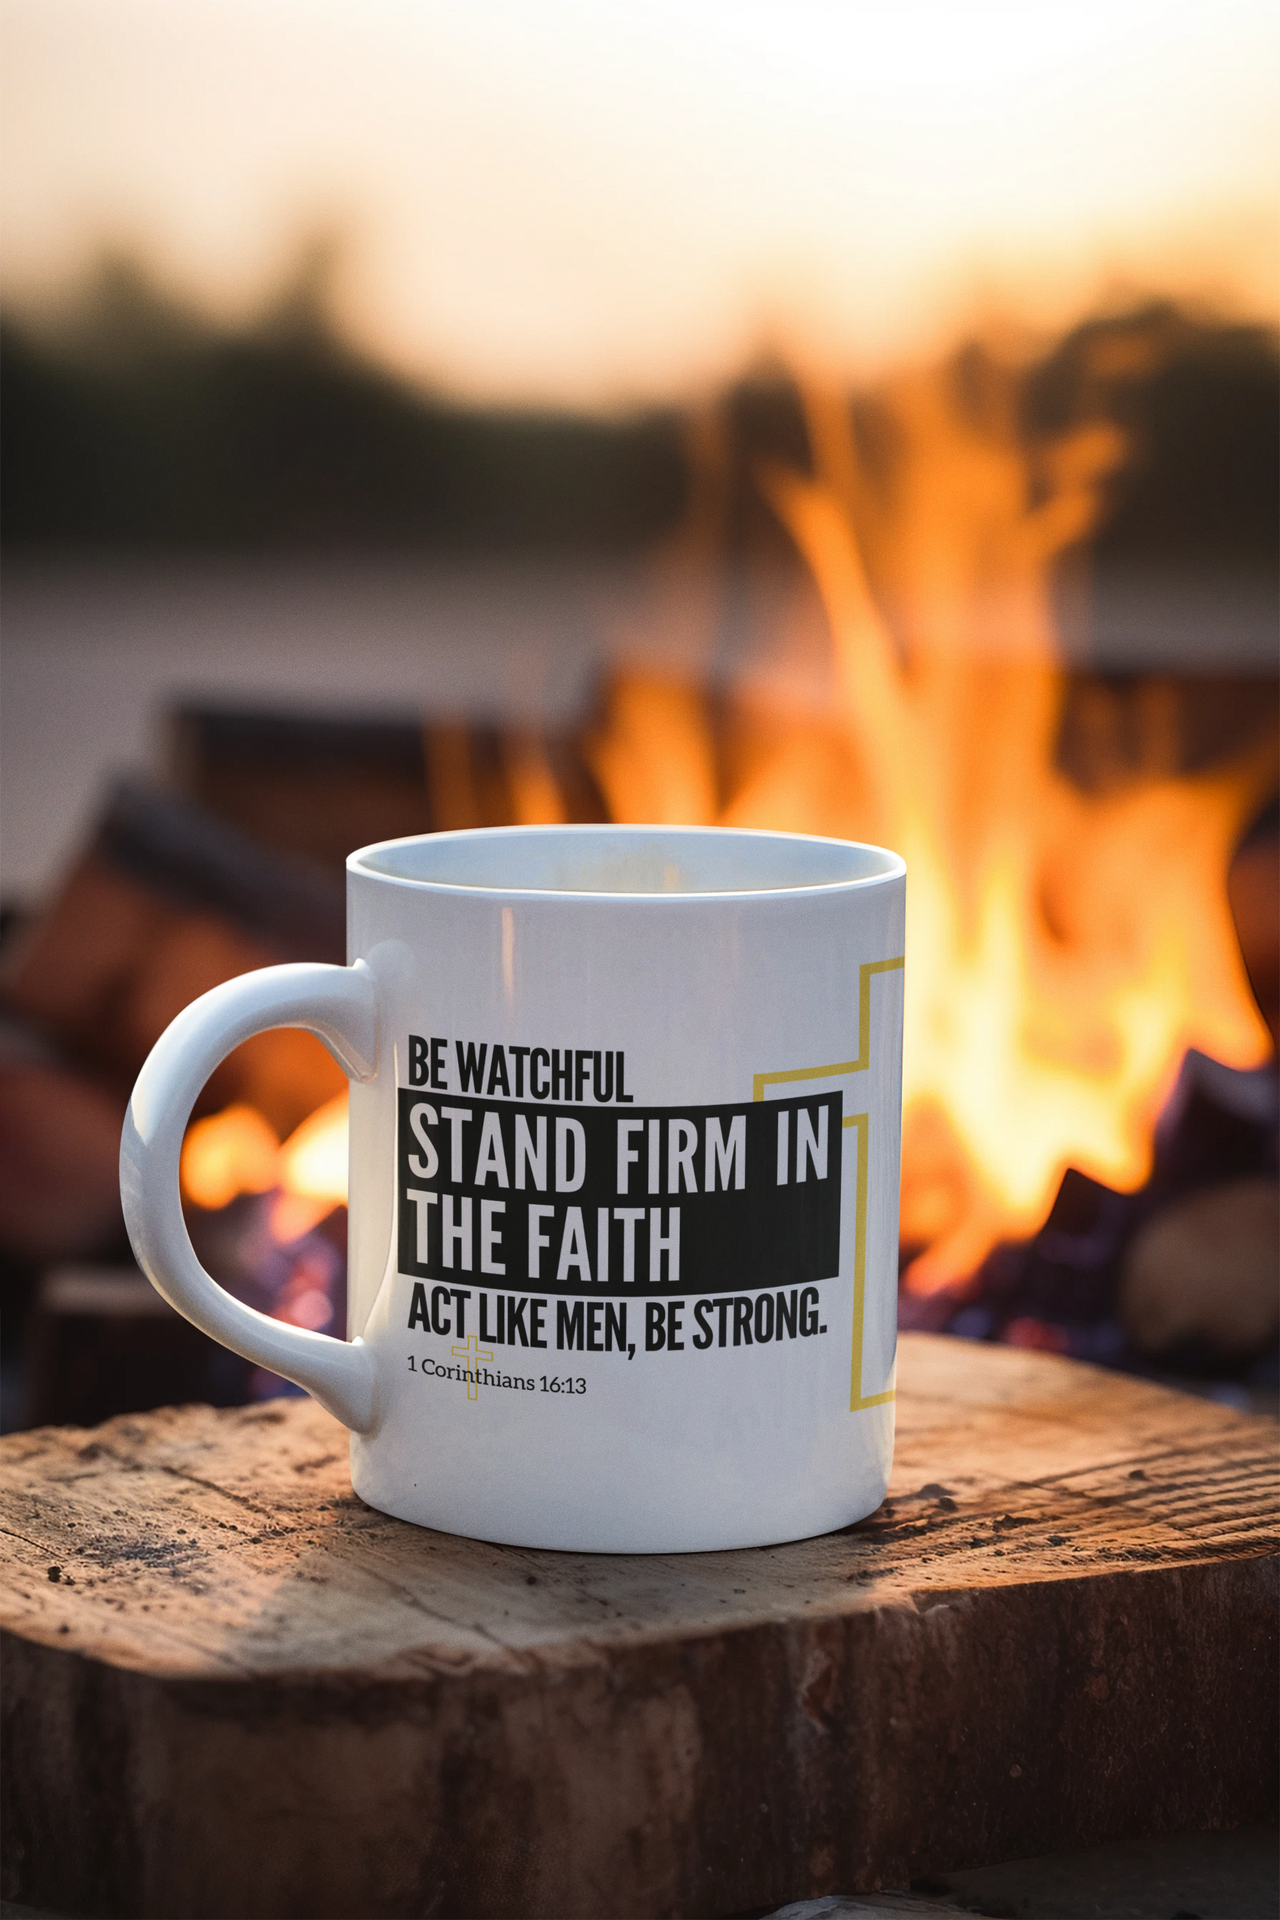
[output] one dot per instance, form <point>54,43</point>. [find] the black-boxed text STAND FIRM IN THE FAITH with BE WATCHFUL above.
<point>521,1178</point>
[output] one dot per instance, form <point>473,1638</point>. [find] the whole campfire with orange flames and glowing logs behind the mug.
<point>859,631</point>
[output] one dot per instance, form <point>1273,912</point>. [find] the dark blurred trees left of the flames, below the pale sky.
<point>139,425</point>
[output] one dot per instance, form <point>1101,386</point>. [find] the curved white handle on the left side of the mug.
<point>339,1005</point>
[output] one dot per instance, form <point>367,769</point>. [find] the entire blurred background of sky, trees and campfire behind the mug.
<point>836,418</point>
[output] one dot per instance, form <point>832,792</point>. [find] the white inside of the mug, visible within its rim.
<point>640,861</point>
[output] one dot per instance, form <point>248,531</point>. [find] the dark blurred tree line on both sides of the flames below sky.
<point>133,423</point>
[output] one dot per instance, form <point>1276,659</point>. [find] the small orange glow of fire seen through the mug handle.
<point>237,1153</point>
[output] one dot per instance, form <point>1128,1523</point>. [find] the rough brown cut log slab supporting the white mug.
<point>231,1689</point>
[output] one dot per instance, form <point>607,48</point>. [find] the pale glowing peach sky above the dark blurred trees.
<point>600,204</point>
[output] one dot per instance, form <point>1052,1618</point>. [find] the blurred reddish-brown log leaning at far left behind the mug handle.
<point>162,905</point>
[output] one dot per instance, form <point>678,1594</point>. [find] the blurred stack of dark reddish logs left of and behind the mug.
<point>235,865</point>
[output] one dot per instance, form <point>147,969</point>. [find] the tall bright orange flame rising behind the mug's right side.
<point>1064,949</point>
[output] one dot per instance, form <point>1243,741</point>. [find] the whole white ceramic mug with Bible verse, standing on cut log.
<point>625,1182</point>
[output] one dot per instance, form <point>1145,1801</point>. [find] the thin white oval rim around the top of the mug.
<point>893,867</point>
